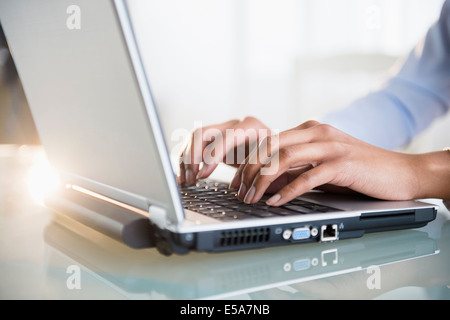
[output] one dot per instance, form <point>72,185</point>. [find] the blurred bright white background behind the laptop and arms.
<point>282,61</point>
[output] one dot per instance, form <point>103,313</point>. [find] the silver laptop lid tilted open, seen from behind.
<point>90,99</point>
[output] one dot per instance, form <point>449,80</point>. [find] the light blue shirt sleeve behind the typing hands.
<point>409,101</point>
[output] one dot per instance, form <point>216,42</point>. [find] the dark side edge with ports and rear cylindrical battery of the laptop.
<point>136,230</point>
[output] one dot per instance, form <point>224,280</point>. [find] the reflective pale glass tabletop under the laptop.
<point>41,258</point>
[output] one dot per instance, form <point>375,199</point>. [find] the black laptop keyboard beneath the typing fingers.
<point>214,199</point>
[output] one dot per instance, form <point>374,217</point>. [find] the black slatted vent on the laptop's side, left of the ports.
<point>244,236</point>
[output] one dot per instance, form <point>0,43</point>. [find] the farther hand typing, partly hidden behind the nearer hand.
<point>228,142</point>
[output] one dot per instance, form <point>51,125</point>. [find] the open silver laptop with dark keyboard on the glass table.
<point>89,95</point>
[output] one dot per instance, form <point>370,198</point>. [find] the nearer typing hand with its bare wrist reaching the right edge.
<point>313,155</point>
